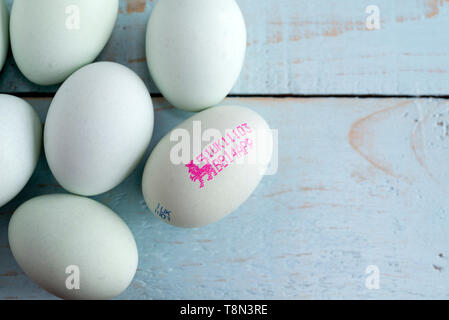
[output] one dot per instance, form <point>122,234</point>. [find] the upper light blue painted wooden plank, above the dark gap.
<point>309,47</point>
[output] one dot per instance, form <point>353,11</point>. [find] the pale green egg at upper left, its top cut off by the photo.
<point>51,39</point>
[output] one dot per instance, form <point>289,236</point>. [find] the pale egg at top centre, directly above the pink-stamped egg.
<point>195,50</point>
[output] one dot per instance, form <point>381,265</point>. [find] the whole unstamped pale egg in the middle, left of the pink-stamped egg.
<point>98,128</point>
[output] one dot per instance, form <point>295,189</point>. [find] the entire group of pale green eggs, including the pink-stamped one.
<point>99,126</point>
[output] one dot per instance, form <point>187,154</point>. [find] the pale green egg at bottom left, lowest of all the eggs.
<point>73,247</point>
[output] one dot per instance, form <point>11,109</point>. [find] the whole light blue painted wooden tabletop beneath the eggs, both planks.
<point>363,126</point>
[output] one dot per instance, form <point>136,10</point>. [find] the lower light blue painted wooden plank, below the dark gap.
<point>360,182</point>
